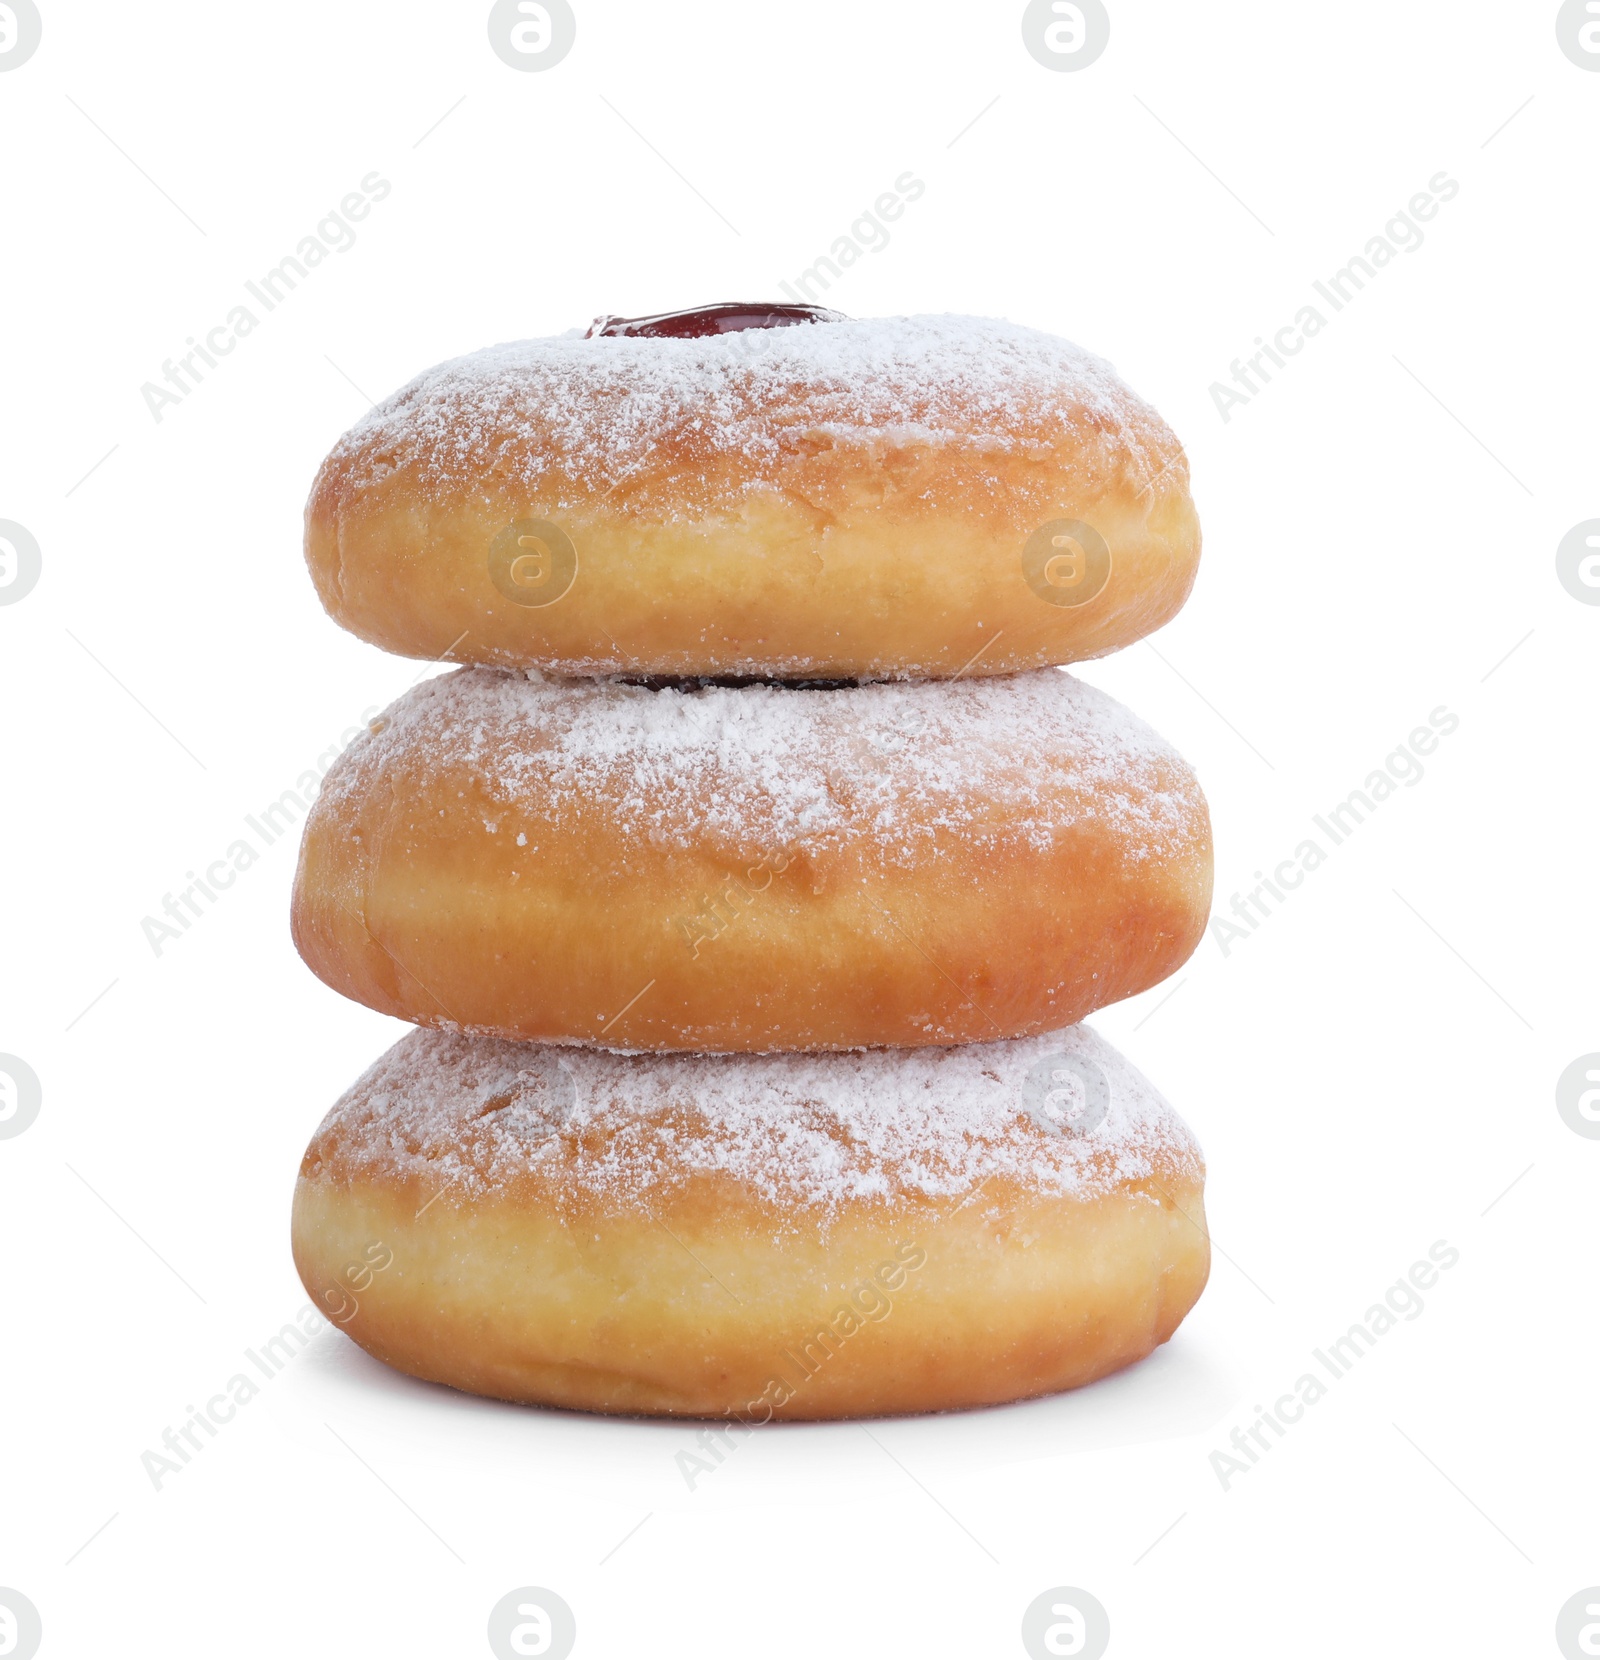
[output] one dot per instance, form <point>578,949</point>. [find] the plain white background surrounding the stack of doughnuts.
<point>1370,1072</point>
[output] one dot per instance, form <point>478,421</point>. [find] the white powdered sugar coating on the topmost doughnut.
<point>570,419</point>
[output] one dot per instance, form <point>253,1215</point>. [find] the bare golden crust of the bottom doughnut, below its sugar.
<point>998,1307</point>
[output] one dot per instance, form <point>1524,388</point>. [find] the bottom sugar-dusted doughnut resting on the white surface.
<point>758,1238</point>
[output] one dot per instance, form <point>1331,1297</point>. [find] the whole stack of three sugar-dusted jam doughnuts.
<point>749,879</point>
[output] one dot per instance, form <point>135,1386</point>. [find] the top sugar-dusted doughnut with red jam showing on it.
<point>793,496</point>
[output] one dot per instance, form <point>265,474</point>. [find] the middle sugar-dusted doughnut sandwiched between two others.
<point>756,867</point>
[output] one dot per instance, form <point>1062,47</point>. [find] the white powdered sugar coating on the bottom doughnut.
<point>811,1135</point>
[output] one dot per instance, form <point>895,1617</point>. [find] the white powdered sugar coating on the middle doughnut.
<point>758,771</point>
